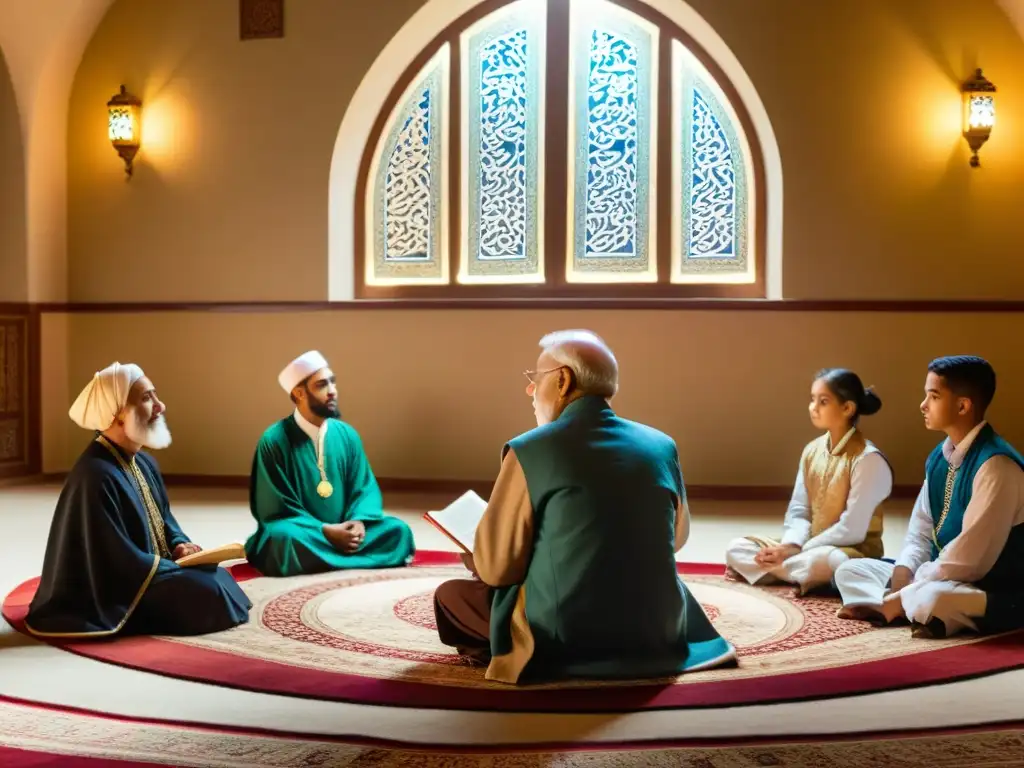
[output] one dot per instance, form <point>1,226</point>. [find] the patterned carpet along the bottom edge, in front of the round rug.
<point>34,737</point>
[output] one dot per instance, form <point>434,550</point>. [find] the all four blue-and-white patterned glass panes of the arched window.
<point>612,163</point>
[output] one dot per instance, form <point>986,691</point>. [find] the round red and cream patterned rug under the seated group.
<point>369,637</point>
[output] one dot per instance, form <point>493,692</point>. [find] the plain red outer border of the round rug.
<point>982,659</point>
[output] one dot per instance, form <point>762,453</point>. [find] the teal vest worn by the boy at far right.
<point>987,445</point>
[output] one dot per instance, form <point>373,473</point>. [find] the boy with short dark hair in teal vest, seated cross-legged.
<point>962,566</point>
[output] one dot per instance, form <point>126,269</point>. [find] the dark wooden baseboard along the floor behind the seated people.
<point>442,487</point>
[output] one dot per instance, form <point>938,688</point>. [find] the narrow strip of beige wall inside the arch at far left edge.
<point>14,261</point>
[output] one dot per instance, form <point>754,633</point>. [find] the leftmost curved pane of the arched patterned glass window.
<point>409,223</point>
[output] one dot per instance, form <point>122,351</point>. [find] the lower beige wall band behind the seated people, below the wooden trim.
<point>436,394</point>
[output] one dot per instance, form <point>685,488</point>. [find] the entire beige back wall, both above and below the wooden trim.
<point>230,203</point>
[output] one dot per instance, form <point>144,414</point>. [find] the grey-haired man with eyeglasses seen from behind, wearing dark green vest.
<point>575,557</point>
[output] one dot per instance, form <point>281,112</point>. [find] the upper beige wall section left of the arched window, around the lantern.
<point>230,196</point>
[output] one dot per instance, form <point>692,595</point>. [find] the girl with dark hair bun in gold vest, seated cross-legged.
<point>835,514</point>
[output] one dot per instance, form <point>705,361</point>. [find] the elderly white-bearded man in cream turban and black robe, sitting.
<point>110,566</point>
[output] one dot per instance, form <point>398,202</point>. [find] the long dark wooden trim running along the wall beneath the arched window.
<point>903,307</point>
